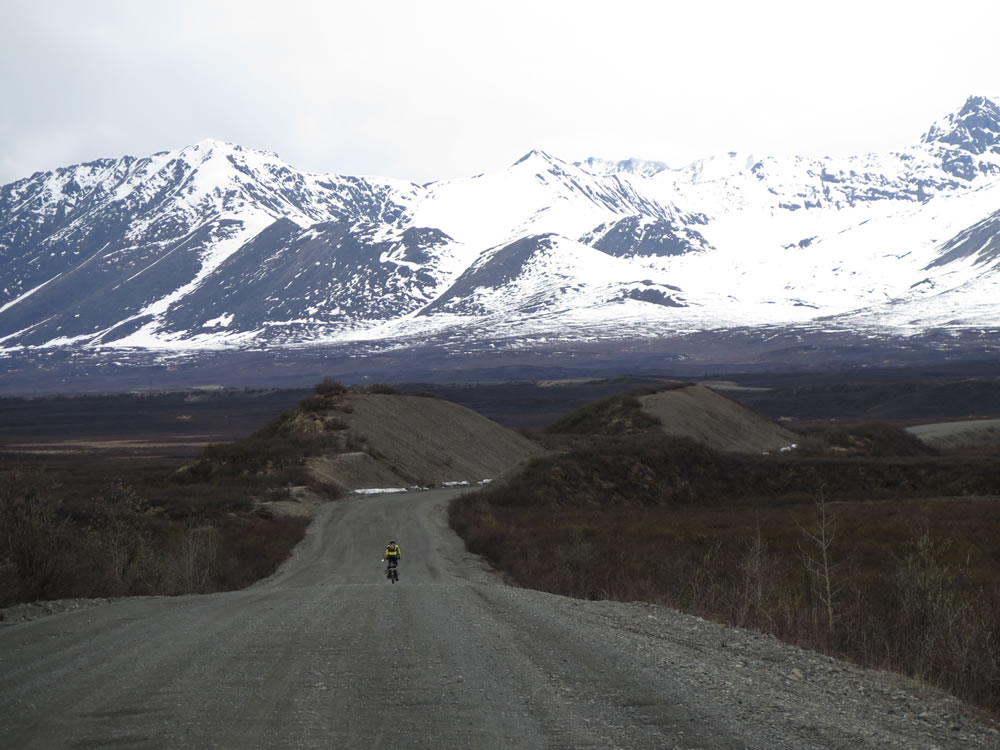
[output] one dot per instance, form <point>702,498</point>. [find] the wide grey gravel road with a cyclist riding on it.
<point>327,654</point>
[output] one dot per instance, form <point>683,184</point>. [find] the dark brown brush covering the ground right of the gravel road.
<point>743,540</point>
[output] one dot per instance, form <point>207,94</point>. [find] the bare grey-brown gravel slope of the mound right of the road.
<point>700,413</point>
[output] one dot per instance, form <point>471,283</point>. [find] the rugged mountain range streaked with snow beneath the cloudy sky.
<point>217,246</point>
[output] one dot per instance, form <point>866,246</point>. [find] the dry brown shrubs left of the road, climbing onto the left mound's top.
<point>160,529</point>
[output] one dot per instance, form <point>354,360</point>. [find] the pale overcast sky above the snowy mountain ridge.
<point>431,90</point>
